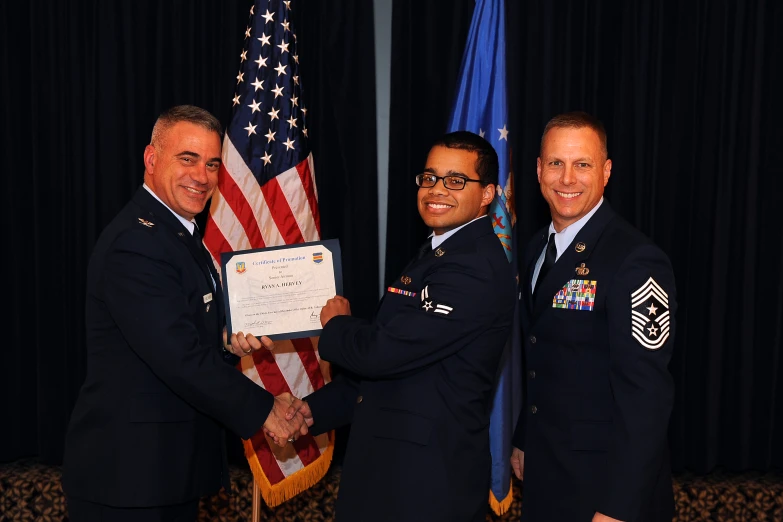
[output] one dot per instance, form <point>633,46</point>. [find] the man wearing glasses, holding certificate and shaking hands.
<point>418,381</point>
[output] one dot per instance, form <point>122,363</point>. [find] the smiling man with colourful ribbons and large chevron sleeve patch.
<point>598,305</point>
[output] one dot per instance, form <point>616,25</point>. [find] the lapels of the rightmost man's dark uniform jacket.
<point>571,259</point>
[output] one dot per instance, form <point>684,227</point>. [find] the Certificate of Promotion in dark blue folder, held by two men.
<point>279,291</point>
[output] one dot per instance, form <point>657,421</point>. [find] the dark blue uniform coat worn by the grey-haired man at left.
<point>147,428</point>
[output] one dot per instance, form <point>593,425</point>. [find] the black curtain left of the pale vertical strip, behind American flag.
<point>82,84</point>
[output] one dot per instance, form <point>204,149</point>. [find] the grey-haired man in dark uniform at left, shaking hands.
<point>146,437</point>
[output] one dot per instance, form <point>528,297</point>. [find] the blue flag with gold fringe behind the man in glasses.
<point>480,107</point>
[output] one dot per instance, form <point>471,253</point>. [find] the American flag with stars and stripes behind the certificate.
<point>267,197</point>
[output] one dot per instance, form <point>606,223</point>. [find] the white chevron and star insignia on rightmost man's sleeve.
<point>650,315</point>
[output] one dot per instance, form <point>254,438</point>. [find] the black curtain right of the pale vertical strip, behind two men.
<point>689,93</point>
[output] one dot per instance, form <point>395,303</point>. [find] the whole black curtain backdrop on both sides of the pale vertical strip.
<point>686,90</point>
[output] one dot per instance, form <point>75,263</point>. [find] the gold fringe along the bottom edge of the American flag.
<point>292,485</point>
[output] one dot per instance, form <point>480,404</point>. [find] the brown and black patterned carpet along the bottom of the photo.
<point>30,491</point>
